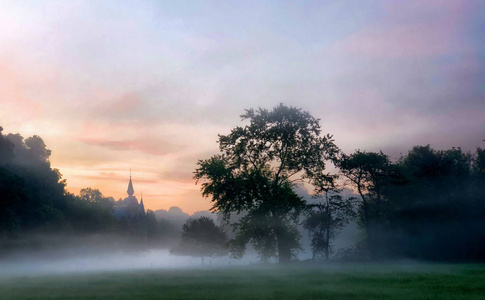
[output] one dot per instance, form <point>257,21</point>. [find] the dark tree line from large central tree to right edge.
<point>429,204</point>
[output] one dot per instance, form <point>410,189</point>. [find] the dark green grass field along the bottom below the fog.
<point>326,282</point>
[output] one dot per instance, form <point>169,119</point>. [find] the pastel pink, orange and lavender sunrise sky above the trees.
<point>148,85</point>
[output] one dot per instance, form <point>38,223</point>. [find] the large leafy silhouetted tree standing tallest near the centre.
<point>254,174</point>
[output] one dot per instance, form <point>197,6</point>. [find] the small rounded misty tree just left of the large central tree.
<point>201,237</point>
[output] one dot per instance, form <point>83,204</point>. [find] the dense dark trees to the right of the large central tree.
<point>429,205</point>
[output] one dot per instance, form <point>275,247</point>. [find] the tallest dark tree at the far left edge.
<point>42,189</point>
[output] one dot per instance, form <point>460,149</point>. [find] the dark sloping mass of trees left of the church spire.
<point>33,198</point>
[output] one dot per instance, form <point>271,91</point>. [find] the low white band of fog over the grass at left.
<point>74,260</point>
